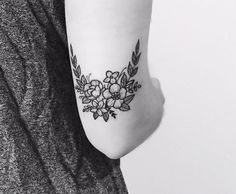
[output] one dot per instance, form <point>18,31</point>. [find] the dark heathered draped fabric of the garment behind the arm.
<point>43,147</point>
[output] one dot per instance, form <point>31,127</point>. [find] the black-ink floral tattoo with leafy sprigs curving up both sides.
<point>115,92</point>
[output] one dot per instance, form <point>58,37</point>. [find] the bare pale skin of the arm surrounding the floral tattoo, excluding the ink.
<point>104,34</point>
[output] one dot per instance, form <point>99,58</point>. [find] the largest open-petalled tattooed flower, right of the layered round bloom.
<point>115,95</point>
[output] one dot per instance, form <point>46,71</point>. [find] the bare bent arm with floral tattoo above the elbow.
<point>117,101</point>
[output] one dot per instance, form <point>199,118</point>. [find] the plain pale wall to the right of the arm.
<point>193,52</point>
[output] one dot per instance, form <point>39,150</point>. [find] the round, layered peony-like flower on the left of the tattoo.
<point>93,90</point>
